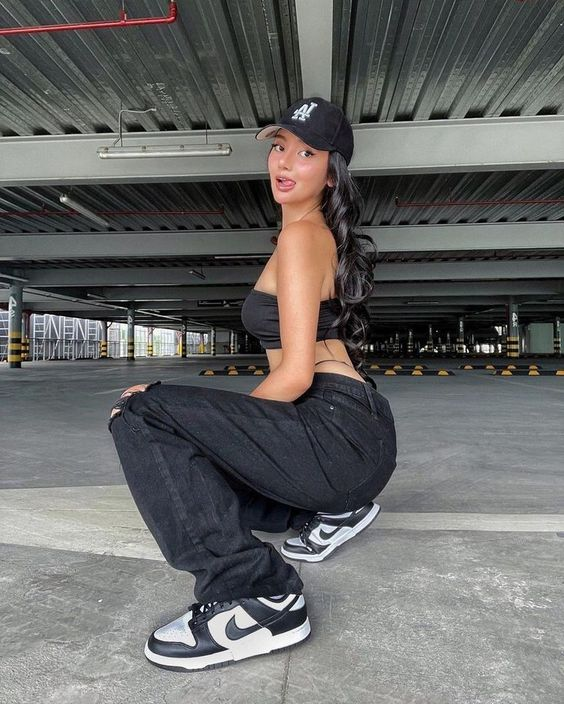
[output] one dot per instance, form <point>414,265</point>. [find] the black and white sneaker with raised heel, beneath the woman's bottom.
<point>326,531</point>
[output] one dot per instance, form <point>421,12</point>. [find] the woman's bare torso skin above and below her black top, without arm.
<point>324,349</point>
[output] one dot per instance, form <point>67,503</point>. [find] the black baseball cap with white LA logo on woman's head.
<point>317,122</point>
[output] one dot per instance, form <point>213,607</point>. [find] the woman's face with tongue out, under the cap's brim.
<point>303,167</point>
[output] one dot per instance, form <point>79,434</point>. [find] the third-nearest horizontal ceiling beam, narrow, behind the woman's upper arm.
<point>240,275</point>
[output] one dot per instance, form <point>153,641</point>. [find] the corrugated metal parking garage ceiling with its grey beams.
<point>457,109</point>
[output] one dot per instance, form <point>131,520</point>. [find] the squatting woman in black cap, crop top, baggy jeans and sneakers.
<point>308,448</point>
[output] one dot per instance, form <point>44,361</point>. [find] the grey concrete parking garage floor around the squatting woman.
<point>453,596</point>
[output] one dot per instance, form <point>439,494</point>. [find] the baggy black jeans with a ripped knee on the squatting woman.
<point>205,466</point>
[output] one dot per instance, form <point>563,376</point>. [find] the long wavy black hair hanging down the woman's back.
<point>343,205</point>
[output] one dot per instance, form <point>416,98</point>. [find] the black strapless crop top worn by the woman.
<point>259,315</point>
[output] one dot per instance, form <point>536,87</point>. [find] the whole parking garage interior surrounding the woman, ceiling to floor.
<point>136,214</point>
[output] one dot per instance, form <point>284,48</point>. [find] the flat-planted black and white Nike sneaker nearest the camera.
<point>215,634</point>
